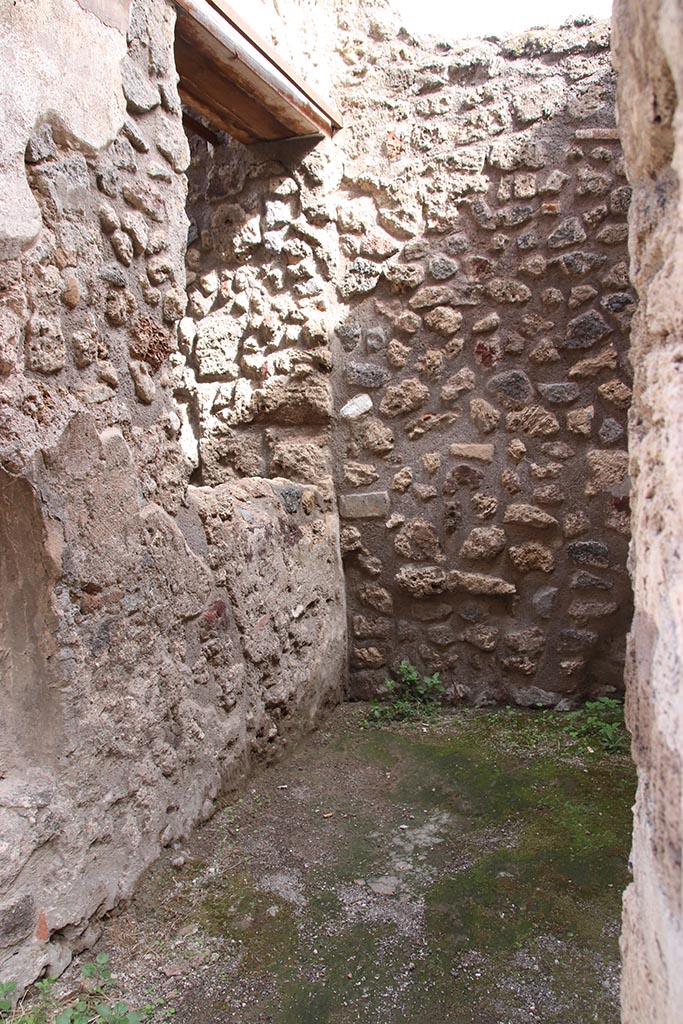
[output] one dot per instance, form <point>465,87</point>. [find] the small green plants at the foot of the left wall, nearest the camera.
<point>95,1007</point>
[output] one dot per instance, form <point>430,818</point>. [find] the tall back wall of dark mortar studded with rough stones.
<point>482,376</point>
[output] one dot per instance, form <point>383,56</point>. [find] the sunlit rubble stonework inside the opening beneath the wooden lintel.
<point>255,362</point>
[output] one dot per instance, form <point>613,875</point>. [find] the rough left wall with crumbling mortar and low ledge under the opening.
<point>156,635</point>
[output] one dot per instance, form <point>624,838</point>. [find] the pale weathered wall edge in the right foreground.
<point>650,61</point>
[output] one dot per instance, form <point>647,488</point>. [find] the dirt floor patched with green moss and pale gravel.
<point>465,871</point>
